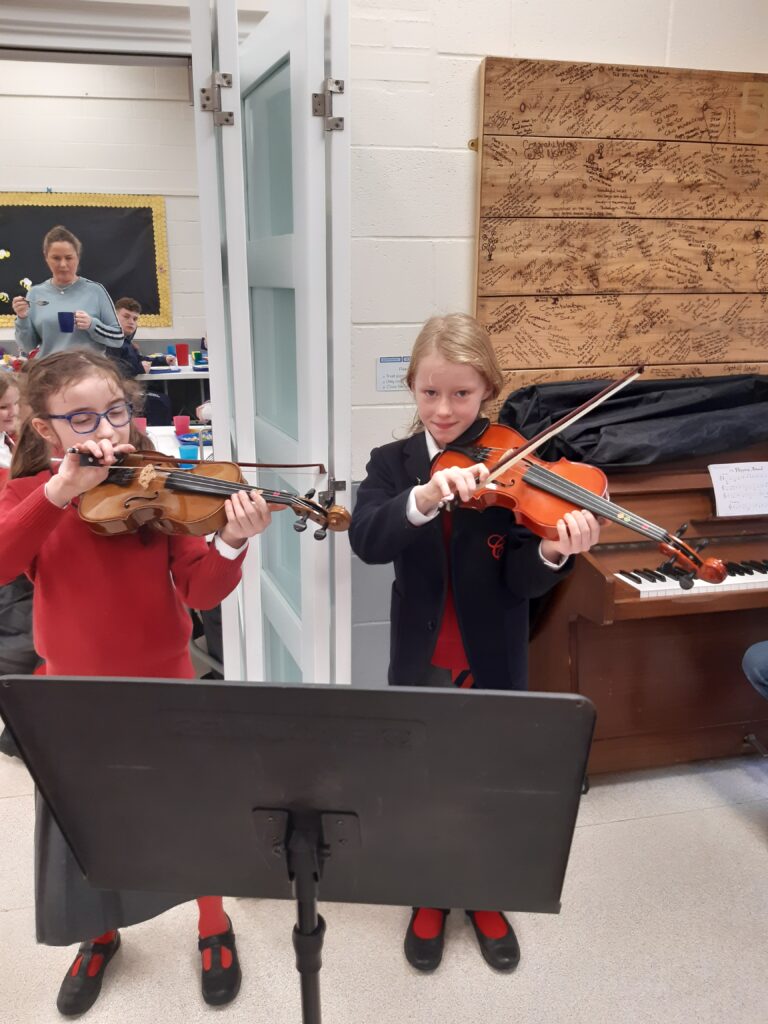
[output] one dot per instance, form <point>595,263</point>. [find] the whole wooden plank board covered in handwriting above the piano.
<point>623,220</point>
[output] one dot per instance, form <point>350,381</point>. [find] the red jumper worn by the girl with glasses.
<point>108,606</point>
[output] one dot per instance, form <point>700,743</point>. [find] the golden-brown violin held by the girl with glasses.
<point>149,489</point>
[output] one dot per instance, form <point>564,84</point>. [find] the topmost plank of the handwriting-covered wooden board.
<point>590,101</point>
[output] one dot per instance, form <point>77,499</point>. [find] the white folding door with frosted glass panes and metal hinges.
<point>275,216</point>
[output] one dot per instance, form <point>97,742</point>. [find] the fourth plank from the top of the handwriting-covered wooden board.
<point>618,330</point>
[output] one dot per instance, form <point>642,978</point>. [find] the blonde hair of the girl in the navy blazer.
<point>458,338</point>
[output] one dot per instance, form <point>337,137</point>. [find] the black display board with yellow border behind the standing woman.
<point>125,246</point>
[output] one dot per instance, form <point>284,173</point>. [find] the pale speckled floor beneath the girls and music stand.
<point>665,919</point>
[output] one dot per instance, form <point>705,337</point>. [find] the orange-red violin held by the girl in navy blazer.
<point>540,493</point>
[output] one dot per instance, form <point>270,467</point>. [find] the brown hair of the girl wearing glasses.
<point>52,374</point>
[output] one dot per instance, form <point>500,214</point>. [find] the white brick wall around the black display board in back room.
<point>110,130</point>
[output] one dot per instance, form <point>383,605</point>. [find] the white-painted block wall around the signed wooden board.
<point>415,106</point>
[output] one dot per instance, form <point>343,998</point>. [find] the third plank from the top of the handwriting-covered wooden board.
<point>552,255</point>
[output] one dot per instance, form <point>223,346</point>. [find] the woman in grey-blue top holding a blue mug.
<point>96,323</point>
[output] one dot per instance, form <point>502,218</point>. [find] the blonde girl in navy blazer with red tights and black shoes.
<point>463,580</point>
